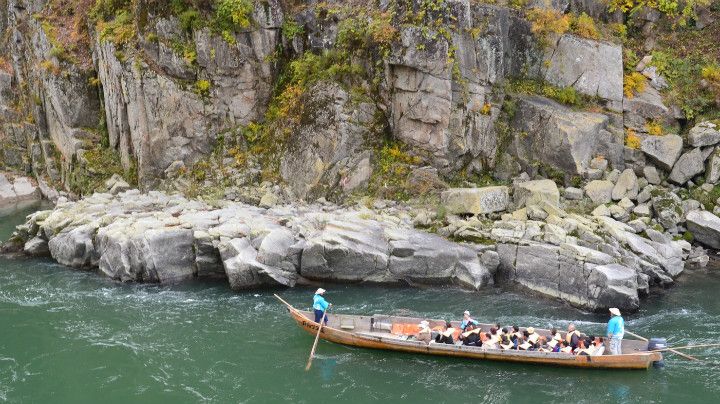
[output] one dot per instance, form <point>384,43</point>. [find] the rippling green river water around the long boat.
<point>70,336</point>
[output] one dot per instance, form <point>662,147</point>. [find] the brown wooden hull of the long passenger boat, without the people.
<point>639,359</point>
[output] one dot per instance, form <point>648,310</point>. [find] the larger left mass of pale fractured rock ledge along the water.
<point>158,238</point>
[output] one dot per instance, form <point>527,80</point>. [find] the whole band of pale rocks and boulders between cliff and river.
<point>593,261</point>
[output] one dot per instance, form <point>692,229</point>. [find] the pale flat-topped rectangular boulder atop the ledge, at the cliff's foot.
<point>475,201</point>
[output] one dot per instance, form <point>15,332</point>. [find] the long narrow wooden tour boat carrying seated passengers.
<point>376,331</point>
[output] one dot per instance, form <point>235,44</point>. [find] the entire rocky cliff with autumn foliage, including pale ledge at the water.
<point>594,123</point>
